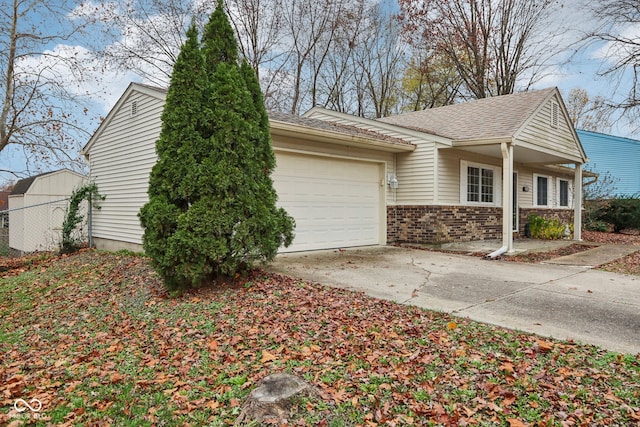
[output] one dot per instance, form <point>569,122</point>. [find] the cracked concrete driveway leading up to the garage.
<point>560,301</point>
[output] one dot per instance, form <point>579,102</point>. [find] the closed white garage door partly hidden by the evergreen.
<point>336,202</point>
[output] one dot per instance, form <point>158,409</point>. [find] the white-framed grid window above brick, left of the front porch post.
<point>479,183</point>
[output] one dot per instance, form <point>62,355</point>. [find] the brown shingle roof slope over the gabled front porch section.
<point>495,117</point>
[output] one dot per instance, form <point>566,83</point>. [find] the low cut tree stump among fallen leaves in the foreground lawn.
<point>273,398</point>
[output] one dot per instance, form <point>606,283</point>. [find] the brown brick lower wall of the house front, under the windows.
<point>442,224</point>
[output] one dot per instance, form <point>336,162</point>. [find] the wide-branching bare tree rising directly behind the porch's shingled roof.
<point>492,44</point>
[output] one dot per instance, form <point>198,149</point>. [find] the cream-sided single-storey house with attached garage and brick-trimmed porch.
<point>431,176</point>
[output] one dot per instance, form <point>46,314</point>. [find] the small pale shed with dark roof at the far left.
<point>37,207</point>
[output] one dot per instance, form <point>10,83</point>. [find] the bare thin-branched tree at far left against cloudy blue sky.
<point>41,88</point>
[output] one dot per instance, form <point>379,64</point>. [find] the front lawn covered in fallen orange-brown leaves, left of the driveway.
<point>97,341</point>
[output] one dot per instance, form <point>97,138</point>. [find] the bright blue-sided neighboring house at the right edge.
<point>614,154</point>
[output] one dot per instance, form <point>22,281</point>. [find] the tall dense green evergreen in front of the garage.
<point>212,206</point>
